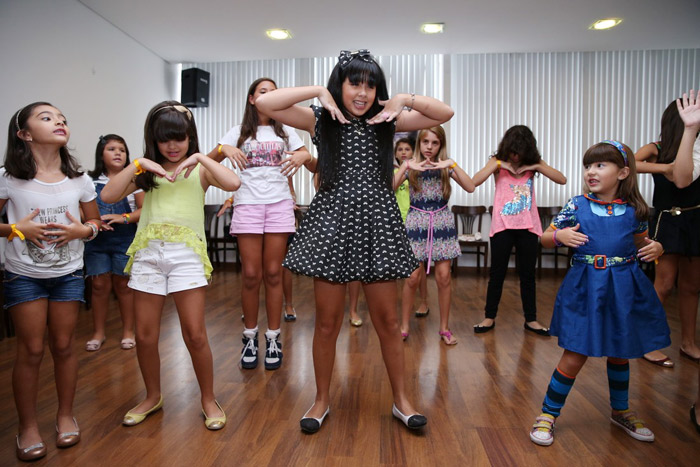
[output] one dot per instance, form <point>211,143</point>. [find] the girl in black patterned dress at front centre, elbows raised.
<point>353,229</point>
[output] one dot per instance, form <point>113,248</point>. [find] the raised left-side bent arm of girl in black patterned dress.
<point>280,105</point>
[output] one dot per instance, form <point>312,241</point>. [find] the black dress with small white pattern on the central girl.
<point>353,231</point>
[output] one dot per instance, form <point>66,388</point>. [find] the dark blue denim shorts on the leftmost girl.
<point>20,289</point>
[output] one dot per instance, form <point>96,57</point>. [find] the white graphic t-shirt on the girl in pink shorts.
<point>261,181</point>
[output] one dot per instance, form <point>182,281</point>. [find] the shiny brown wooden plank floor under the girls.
<point>480,396</point>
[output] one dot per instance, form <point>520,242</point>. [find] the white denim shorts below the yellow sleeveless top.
<point>165,267</point>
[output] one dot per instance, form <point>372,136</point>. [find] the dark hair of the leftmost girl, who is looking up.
<point>19,161</point>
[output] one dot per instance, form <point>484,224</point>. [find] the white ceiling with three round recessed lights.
<point>225,30</point>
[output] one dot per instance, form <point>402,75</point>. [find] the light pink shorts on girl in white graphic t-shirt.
<point>263,218</point>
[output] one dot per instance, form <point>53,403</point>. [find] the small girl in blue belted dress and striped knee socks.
<point>606,306</point>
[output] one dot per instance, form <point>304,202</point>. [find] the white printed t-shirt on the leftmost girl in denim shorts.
<point>53,201</point>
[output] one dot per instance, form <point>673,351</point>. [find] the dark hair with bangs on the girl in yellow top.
<point>167,121</point>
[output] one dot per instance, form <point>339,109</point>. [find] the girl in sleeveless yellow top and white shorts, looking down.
<point>168,255</point>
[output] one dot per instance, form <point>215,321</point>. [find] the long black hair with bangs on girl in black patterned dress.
<point>356,71</point>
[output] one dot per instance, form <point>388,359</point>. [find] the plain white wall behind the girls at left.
<point>102,80</point>
